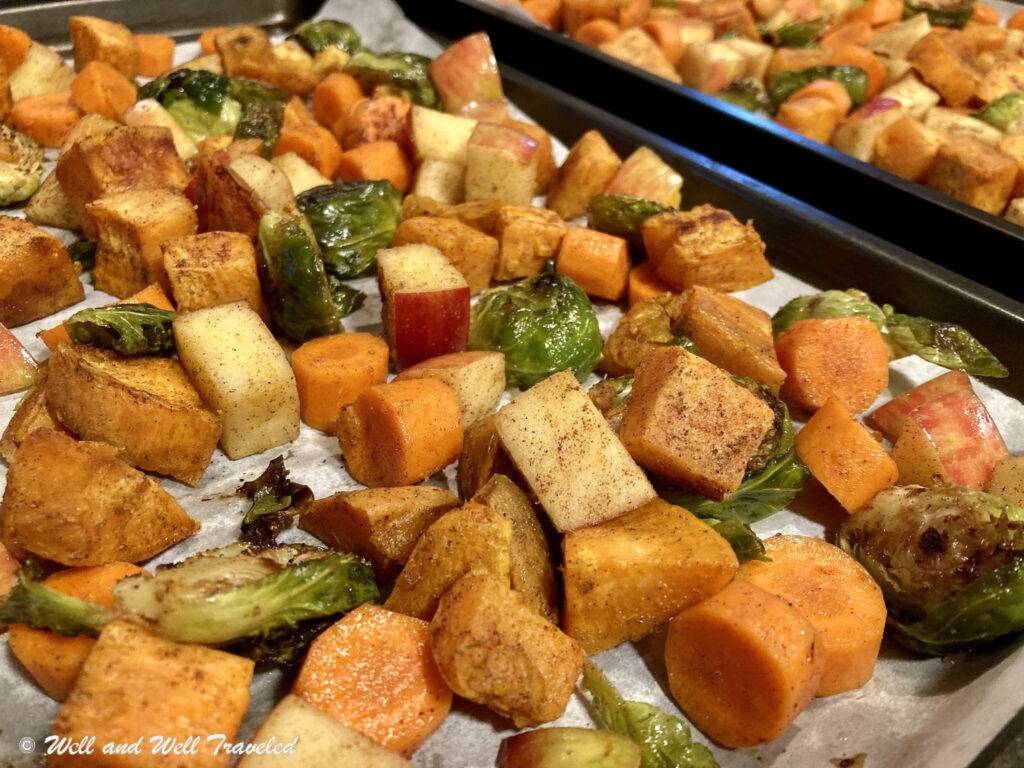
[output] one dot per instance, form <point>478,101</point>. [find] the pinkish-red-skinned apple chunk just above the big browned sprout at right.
<point>950,441</point>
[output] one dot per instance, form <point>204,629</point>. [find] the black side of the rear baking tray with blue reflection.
<point>964,239</point>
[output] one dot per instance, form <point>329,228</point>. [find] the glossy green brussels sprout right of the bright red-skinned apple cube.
<point>543,325</point>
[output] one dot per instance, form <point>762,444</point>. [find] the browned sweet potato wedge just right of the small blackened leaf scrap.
<point>380,525</point>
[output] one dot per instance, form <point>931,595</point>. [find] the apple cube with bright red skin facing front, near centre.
<point>425,304</point>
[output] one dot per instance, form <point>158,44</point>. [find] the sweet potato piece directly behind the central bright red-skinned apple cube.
<point>472,252</point>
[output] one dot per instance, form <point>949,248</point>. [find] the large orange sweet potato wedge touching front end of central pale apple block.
<point>626,577</point>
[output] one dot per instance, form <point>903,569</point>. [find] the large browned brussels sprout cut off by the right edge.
<point>950,563</point>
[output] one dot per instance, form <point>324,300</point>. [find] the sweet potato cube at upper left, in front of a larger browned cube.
<point>132,227</point>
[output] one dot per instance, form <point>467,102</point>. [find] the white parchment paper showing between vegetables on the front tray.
<point>915,713</point>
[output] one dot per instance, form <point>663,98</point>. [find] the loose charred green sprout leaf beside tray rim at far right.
<point>943,344</point>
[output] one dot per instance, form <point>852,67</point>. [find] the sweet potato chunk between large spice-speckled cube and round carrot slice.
<point>732,334</point>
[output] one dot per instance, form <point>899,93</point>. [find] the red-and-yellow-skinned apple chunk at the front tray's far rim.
<point>467,72</point>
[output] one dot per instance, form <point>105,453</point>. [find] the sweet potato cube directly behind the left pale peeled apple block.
<point>214,269</point>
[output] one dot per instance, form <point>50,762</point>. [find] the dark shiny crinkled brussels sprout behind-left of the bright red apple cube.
<point>353,221</point>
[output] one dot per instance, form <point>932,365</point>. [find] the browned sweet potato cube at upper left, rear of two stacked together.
<point>123,159</point>
